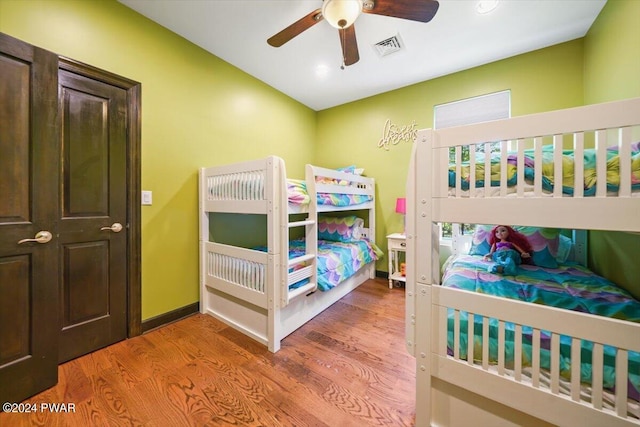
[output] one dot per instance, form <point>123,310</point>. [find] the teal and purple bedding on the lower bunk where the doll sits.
<point>570,286</point>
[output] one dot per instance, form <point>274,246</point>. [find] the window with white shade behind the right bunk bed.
<point>484,108</point>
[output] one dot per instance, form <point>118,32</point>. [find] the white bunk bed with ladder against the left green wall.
<point>249,288</point>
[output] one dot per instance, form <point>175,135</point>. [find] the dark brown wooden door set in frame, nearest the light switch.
<point>92,225</point>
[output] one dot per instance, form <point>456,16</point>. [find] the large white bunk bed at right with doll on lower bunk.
<point>452,389</point>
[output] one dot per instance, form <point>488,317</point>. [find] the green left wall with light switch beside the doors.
<point>197,110</point>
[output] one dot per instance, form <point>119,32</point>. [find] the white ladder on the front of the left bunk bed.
<point>304,266</point>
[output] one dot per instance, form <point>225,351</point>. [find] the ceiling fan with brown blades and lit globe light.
<point>342,14</point>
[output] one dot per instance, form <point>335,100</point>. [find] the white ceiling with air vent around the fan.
<point>307,68</point>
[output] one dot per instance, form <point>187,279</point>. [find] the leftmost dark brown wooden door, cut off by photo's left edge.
<point>29,165</point>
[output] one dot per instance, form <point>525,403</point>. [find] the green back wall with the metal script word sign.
<point>543,80</point>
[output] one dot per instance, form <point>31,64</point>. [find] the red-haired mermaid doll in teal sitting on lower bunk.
<point>508,248</point>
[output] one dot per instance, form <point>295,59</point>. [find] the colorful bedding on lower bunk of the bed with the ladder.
<point>337,261</point>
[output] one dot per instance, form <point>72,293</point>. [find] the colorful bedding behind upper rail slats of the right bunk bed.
<point>548,181</point>
